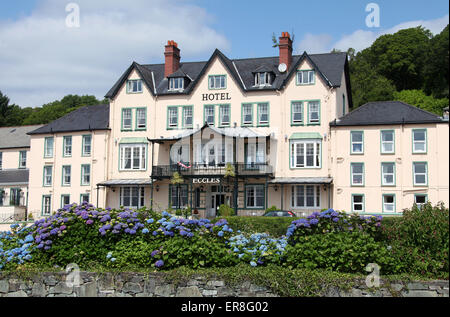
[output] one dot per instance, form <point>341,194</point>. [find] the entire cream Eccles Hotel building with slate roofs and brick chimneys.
<point>250,133</point>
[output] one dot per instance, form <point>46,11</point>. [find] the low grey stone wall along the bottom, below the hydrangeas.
<point>156,285</point>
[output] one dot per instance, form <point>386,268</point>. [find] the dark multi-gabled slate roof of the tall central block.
<point>330,68</point>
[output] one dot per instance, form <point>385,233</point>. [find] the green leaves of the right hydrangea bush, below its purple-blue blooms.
<point>348,252</point>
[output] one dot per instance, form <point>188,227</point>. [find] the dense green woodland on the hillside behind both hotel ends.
<point>410,65</point>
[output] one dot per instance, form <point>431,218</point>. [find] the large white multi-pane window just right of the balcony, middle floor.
<point>305,154</point>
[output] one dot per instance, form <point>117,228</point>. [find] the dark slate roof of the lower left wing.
<point>87,118</point>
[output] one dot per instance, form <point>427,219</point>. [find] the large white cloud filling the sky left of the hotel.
<point>42,60</point>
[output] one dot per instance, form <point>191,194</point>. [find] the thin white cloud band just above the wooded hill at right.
<point>361,39</point>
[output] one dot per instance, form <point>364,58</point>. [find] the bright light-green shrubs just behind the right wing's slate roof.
<point>419,99</point>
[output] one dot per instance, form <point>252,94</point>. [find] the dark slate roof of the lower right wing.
<point>387,112</point>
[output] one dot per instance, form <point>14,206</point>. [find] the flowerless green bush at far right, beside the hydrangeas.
<point>421,239</point>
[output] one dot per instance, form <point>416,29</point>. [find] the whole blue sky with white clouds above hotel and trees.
<point>43,57</point>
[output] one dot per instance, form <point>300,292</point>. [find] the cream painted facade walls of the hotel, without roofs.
<point>131,163</point>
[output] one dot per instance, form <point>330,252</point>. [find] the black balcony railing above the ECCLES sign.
<point>240,169</point>
